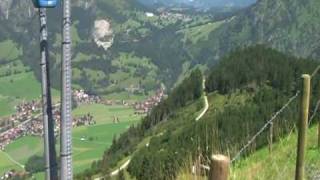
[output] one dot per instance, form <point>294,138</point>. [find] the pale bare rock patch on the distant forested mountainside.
<point>103,34</point>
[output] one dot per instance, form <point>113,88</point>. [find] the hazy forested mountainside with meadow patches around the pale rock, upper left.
<point>144,52</point>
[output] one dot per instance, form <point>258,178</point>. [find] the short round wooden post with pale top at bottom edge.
<point>219,167</point>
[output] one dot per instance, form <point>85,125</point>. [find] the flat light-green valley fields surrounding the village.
<point>89,142</point>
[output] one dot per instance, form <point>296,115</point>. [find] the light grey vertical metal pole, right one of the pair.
<point>66,119</point>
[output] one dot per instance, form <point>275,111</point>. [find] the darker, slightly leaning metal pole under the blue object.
<point>48,123</point>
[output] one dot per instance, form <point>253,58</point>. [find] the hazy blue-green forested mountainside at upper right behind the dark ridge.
<point>290,26</point>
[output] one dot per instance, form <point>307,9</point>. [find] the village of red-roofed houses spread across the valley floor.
<point>27,120</point>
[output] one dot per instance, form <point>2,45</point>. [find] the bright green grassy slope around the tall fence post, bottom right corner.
<point>281,163</point>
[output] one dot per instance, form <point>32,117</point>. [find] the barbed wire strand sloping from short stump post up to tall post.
<point>237,156</point>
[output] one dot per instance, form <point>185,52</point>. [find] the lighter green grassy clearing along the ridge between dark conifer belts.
<point>182,117</point>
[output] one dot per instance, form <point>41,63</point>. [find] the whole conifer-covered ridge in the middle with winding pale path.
<point>244,90</point>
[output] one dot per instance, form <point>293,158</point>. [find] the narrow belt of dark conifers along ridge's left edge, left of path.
<point>189,90</point>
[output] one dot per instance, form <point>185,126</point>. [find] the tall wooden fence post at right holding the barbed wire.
<point>303,124</point>
